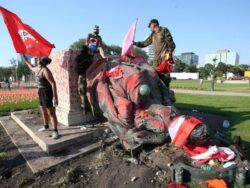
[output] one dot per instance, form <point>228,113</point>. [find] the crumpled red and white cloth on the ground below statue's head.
<point>203,154</point>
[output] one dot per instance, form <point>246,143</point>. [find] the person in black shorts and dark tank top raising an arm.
<point>47,93</point>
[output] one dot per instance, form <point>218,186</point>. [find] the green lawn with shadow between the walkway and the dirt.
<point>235,109</point>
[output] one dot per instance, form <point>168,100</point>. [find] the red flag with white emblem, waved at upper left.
<point>25,39</point>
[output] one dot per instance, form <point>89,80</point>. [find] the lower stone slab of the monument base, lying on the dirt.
<point>36,158</point>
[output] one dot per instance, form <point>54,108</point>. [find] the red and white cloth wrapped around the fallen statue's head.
<point>181,127</point>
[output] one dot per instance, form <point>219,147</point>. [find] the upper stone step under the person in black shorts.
<point>69,136</point>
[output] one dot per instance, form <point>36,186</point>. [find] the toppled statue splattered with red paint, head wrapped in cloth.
<point>139,106</point>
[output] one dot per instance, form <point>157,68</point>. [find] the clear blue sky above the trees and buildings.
<point>199,26</point>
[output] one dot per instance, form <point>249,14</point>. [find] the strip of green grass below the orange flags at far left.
<point>10,107</point>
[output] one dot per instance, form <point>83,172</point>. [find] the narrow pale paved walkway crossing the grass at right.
<point>222,93</point>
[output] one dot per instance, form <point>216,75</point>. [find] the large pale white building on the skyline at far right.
<point>224,56</point>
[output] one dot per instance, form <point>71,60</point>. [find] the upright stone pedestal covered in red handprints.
<point>64,70</point>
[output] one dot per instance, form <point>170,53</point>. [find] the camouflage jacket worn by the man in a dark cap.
<point>162,42</point>
